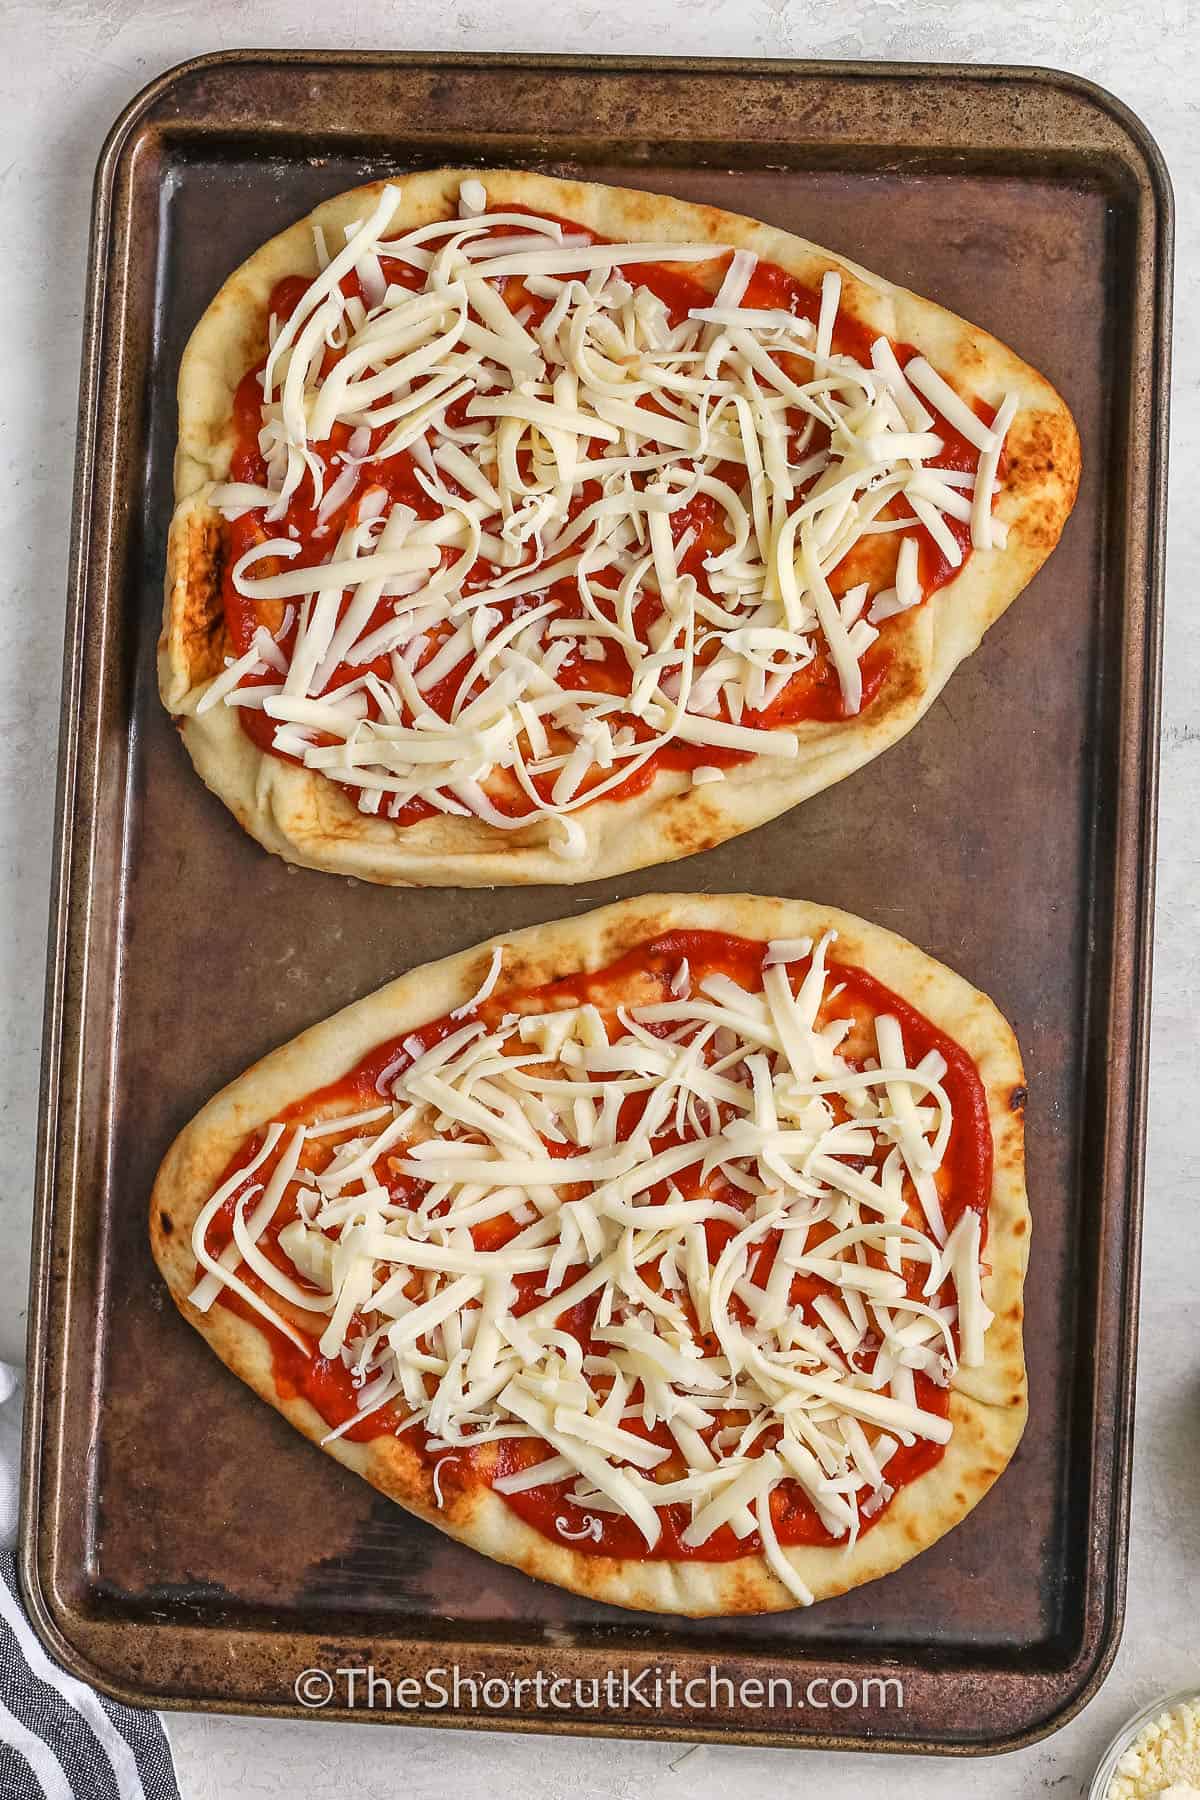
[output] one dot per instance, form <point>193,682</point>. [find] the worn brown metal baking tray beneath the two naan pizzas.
<point>181,1545</point>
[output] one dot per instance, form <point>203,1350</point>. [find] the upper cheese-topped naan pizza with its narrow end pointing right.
<point>533,530</point>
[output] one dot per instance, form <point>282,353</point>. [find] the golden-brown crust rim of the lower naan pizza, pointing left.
<point>987,1405</point>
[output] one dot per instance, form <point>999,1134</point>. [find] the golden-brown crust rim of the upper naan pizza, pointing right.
<point>303,816</point>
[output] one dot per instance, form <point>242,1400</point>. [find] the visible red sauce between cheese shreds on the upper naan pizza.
<point>814,694</point>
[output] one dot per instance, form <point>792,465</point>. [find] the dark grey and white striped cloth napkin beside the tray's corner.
<point>58,1738</point>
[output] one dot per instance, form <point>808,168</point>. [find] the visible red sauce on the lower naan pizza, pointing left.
<point>640,978</point>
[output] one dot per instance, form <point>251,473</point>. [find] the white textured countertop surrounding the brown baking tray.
<point>66,71</point>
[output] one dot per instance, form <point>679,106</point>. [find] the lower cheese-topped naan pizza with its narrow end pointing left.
<point>672,1254</point>
